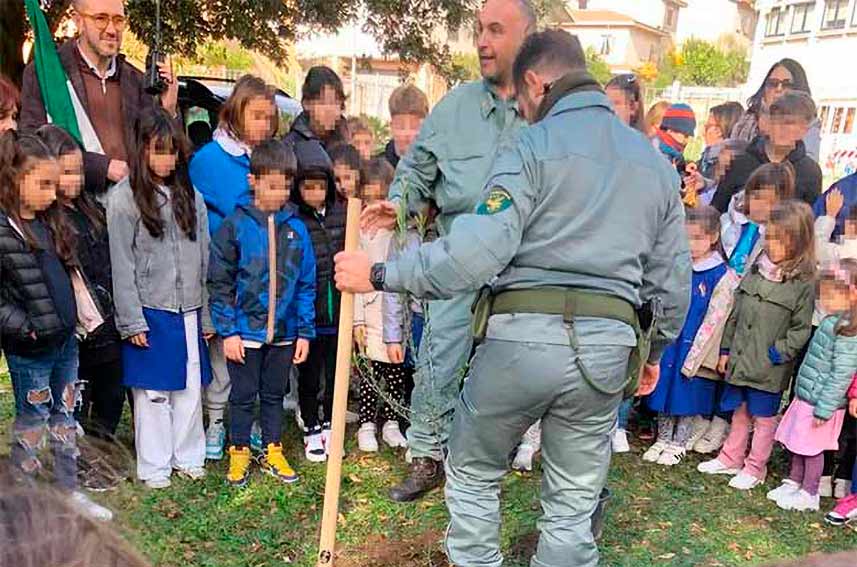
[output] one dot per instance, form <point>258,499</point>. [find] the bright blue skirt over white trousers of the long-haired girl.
<point>163,366</point>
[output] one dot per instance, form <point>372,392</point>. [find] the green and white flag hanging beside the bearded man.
<point>62,105</point>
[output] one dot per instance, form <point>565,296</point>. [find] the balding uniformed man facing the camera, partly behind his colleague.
<point>449,164</point>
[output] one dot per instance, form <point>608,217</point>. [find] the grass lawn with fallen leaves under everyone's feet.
<point>664,517</point>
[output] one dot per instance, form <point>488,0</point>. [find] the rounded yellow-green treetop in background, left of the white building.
<point>702,63</point>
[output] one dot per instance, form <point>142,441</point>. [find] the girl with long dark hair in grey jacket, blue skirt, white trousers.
<point>159,251</point>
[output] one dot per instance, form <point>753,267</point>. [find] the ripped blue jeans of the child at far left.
<point>45,389</point>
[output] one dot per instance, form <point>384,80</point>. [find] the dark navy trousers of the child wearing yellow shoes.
<point>264,374</point>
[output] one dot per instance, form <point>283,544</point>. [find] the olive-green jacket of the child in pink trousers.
<point>767,314</point>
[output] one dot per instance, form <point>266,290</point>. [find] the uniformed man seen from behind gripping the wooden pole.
<point>583,224</point>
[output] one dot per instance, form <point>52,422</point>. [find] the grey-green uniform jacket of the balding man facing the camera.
<point>452,156</point>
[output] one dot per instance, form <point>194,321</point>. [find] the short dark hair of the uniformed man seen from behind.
<point>557,50</point>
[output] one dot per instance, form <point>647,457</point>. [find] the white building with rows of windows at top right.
<point>822,36</point>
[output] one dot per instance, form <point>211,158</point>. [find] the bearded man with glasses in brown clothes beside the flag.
<point>110,89</point>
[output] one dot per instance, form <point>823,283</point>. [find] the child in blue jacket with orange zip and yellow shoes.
<point>261,282</point>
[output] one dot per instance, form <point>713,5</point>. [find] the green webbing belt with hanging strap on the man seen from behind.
<point>573,303</point>
